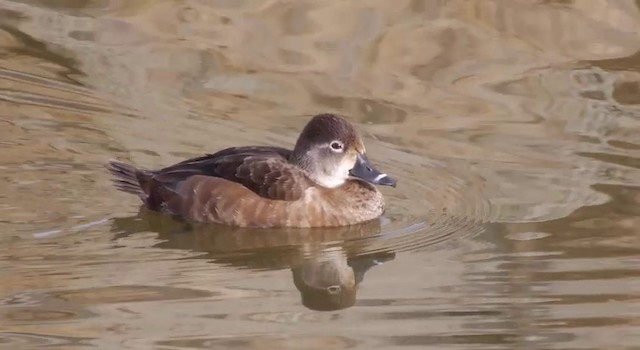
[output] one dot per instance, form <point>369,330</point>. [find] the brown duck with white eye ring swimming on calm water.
<point>326,180</point>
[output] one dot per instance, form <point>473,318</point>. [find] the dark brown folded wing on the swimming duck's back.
<point>263,170</point>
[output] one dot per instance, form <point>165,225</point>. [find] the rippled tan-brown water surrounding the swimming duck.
<point>512,127</point>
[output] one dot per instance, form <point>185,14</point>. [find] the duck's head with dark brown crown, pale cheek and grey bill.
<point>330,149</point>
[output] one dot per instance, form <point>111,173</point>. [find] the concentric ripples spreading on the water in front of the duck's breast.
<point>433,203</point>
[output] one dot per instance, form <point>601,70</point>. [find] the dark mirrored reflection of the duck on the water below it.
<point>327,264</point>
